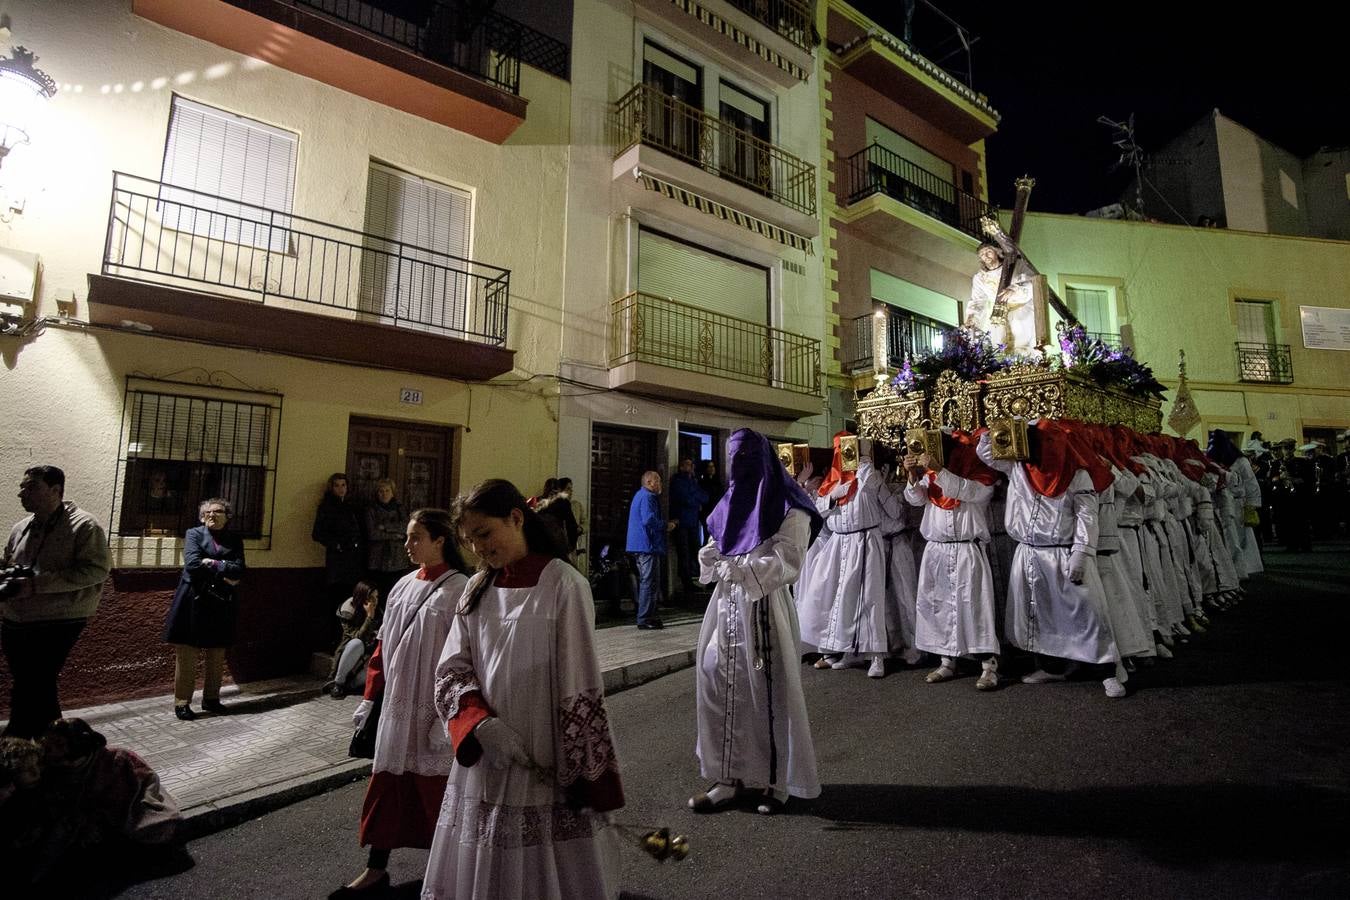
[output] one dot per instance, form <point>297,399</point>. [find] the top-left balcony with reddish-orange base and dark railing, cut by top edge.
<point>456,68</point>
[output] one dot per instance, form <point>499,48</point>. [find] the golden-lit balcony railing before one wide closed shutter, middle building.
<point>655,330</point>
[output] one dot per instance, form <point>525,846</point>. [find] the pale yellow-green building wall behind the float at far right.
<point>1177,289</point>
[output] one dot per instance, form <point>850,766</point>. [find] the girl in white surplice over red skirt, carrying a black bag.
<point>412,752</point>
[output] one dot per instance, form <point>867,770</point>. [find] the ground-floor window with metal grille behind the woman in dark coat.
<point>183,449</point>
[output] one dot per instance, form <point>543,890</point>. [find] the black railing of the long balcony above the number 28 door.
<point>194,241</point>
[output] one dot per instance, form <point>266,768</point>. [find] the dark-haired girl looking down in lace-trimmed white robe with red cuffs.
<point>522,693</point>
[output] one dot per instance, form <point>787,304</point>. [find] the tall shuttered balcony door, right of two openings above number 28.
<point>415,266</point>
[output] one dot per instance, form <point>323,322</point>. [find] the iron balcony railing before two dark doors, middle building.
<point>646,115</point>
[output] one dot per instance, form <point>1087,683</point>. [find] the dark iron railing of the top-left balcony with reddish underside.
<point>481,44</point>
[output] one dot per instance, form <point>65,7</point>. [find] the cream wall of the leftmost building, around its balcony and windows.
<point>64,387</point>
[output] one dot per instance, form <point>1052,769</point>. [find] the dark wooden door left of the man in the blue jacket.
<point>619,459</point>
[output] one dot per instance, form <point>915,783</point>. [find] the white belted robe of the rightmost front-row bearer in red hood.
<point>1047,612</point>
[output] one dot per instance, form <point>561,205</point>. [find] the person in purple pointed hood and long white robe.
<point>754,735</point>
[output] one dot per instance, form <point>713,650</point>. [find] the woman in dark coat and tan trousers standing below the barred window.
<point>206,608</point>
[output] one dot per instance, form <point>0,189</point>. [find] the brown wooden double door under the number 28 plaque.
<point>418,458</point>
